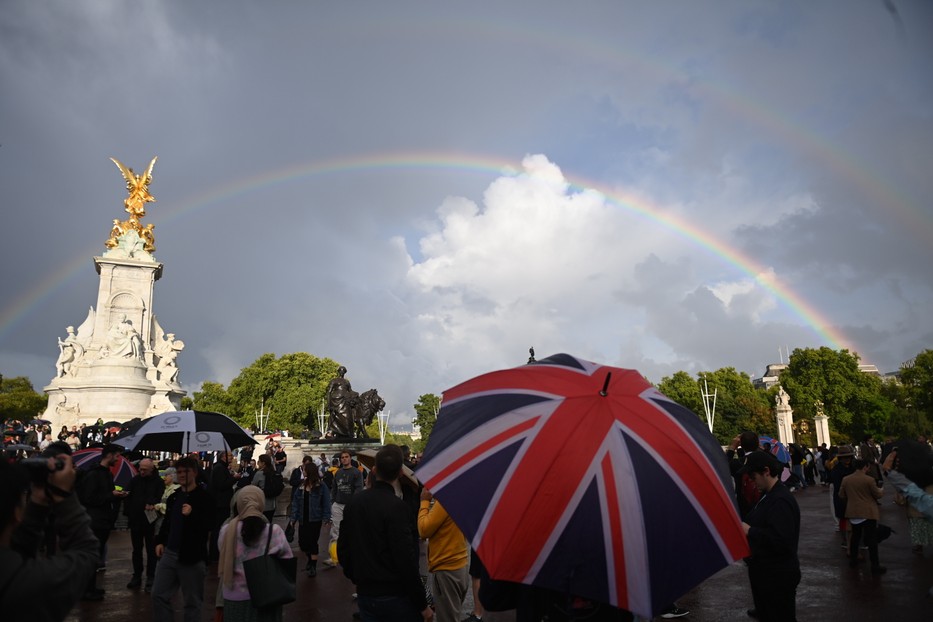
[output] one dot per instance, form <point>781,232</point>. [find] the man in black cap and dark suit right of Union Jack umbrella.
<point>773,531</point>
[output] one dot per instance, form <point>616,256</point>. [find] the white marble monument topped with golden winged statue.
<point>119,363</point>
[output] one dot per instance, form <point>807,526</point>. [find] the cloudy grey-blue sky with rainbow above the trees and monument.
<point>423,191</point>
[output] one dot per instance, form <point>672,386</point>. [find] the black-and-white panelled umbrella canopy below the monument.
<point>185,431</point>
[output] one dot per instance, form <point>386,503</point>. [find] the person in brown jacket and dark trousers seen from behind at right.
<point>861,494</point>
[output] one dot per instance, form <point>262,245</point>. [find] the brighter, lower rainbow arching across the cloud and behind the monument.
<point>690,232</point>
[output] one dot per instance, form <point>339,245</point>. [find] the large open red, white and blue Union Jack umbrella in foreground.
<point>583,478</point>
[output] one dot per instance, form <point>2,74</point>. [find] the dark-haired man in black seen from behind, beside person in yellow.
<point>376,548</point>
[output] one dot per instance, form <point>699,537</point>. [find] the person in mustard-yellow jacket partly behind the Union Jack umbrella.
<point>448,558</point>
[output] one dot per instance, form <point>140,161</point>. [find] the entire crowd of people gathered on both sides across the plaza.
<point>189,515</point>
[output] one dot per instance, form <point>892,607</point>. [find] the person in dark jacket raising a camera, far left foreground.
<point>26,580</point>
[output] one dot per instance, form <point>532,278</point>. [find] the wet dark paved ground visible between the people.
<point>829,591</point>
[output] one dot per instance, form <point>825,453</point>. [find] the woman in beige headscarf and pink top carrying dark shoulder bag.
<point>243,538</point>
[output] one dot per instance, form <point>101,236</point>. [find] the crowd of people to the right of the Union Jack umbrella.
<point>764,487</point>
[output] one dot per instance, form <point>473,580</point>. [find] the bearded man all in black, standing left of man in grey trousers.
<point>145,492</point>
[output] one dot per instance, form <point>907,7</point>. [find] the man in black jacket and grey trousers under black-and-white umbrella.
<point>182,546</point>
